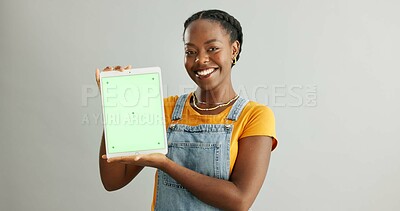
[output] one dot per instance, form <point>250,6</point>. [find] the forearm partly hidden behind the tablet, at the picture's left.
<point>115,175</point>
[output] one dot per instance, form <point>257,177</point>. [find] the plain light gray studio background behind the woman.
<point>328,69</point>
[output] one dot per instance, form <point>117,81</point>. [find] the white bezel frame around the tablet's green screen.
<point>135,71</point>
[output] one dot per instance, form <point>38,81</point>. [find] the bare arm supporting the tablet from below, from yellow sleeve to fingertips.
<point>238,193</point>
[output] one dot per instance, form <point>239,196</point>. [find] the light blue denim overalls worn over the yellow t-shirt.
<point>203,148</point>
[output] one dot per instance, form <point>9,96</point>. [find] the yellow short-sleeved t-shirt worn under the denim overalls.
<point>255,120</point>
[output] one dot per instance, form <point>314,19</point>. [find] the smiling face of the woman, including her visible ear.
<point>208,54</point>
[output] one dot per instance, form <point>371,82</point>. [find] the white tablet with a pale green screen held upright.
<point>133,112</point>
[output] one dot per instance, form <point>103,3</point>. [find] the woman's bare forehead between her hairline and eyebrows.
<point>204,29</point>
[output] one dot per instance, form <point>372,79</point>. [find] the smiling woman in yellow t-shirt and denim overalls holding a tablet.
<point>219,143</point>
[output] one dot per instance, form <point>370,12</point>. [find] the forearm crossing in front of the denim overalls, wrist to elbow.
<point>219,193</point>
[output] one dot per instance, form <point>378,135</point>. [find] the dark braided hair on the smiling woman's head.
<point>228,22</point>
